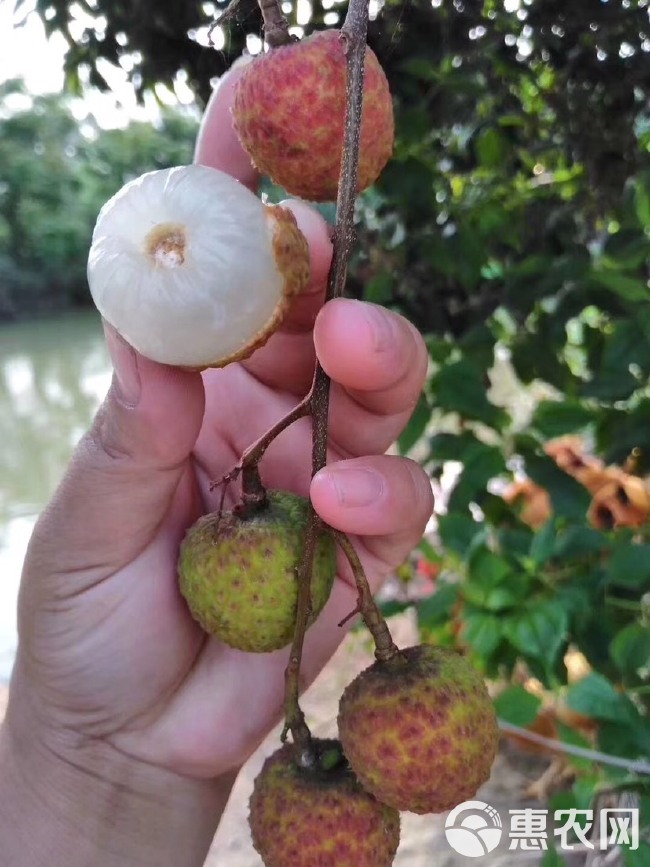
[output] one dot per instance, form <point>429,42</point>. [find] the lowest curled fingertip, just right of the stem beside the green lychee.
<point>385,499</point>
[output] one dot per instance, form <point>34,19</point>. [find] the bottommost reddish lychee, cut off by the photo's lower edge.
<point>321,816</point>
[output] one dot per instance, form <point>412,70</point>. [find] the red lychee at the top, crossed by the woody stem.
<point>289,110</point>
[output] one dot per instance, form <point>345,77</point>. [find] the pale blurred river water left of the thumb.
<point>53,375</point>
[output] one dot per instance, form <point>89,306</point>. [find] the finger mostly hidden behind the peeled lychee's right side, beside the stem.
<point>287,360</point>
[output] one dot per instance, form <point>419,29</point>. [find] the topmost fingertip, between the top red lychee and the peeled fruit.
<point>217,144</point>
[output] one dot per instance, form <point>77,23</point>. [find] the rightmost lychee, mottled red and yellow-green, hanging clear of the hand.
<point>420,734</point>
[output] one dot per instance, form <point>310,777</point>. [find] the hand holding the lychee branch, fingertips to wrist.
<point>109,656</point>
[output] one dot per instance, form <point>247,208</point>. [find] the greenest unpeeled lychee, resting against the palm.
<point>238,575</point>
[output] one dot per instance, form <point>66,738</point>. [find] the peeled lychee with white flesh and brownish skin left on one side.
<point>192,269</point>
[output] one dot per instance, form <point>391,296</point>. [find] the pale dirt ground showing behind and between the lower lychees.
<point>423,842</point>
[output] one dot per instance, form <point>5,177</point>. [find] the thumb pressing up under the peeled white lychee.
<point>123,475</point>
